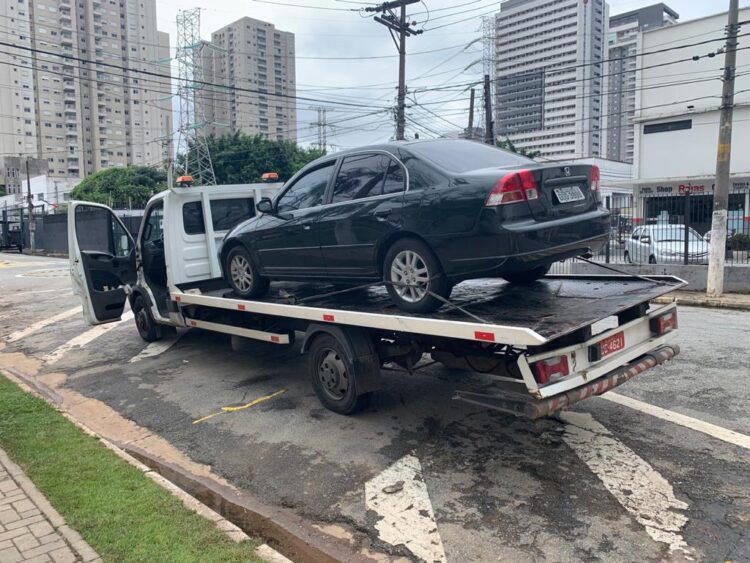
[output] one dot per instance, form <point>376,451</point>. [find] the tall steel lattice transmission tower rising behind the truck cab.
<point>190,143</point>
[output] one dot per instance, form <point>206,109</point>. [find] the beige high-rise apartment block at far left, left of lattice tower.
<point>62,104</point>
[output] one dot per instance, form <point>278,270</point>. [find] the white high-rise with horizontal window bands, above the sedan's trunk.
<point>548,70</point>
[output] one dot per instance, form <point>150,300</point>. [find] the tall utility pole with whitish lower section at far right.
<point>715,282</point>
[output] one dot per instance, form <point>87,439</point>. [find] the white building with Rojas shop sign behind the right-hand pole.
<point>677,124</point>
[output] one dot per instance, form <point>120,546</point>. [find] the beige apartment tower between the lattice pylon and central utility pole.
<point>254,56</point>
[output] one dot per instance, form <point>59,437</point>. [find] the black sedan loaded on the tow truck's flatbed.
<point>421,217</point>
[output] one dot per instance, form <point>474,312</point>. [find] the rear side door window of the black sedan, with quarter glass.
<point>368,175</point>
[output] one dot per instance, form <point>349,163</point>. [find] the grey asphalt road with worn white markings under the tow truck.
<point>605,482</point>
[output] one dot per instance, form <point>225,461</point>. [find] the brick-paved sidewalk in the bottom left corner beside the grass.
<point>30,529</point>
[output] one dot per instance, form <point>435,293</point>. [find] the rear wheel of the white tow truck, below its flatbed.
<point>334,377</point>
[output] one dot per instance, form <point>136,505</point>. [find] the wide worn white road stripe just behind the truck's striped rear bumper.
<point>640,489</point>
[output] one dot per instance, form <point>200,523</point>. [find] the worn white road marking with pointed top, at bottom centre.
<point>399,495</point>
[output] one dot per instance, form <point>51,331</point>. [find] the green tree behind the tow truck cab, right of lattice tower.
<point>239,158</point>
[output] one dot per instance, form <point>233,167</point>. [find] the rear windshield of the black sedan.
<point>463,156</point>
